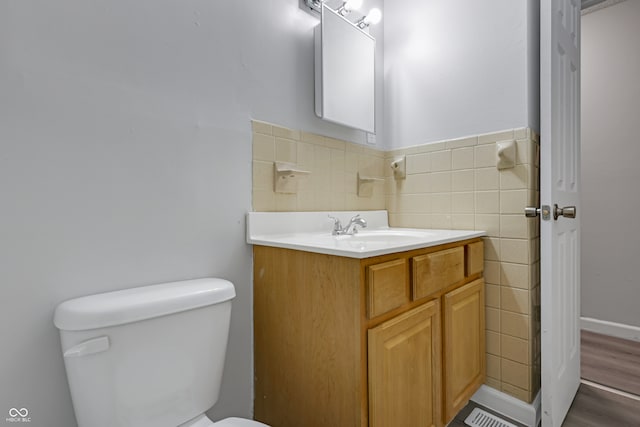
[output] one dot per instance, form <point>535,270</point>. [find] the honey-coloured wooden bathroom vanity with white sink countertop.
<point>348,339</point>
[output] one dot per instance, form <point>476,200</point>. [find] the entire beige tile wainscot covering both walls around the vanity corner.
<point>449,184</point>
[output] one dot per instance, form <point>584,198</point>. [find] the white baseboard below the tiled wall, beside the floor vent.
<point>522,412</point>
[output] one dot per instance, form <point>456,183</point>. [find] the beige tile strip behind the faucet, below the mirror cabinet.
<point>334,165</point>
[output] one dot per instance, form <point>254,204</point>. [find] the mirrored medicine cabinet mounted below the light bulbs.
<point>344,72</point>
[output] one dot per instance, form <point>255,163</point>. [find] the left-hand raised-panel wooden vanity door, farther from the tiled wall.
<point>404,369</point>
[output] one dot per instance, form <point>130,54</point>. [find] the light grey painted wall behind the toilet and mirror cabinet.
<point>125,160</point>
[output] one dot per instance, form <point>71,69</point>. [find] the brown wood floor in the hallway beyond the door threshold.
<point>611,361</point>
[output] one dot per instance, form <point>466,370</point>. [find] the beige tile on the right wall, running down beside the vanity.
<point>455,184</point>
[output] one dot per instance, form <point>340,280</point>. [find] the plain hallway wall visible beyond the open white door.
<point>611,163</point>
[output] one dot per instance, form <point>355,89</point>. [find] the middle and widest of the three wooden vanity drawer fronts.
<point>437,270</point>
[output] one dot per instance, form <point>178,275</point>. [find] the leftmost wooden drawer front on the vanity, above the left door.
<point>387,286</point>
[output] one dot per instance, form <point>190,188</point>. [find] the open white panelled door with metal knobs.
<point>560,184</point>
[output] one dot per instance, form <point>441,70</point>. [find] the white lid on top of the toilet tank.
<point>135,304</point>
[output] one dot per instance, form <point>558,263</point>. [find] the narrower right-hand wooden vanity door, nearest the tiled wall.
<point>464,346</point>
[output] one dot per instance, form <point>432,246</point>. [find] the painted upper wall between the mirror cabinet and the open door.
<point>455,68</point>
